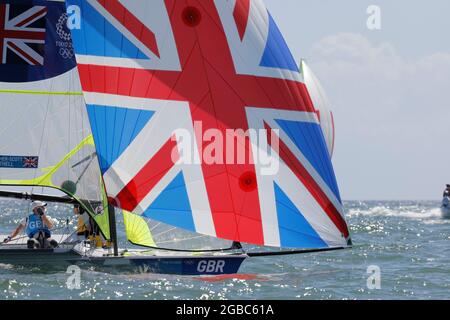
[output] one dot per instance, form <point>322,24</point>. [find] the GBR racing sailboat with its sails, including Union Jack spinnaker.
<point>191,114</point>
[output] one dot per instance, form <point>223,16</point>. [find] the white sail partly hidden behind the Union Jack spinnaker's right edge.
<point>321,104</point>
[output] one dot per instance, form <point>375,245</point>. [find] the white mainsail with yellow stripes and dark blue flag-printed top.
<point>45,134</point>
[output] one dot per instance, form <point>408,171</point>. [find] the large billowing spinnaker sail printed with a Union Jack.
<point>201,120</point>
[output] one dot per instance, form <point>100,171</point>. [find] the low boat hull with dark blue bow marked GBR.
<point>154,261</point>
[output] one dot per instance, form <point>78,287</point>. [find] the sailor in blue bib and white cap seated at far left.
<point>37,226</point>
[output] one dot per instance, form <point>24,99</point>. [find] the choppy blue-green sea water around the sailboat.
<point>401,251</point>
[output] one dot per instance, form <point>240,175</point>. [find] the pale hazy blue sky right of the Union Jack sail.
<point>390,89</point>
